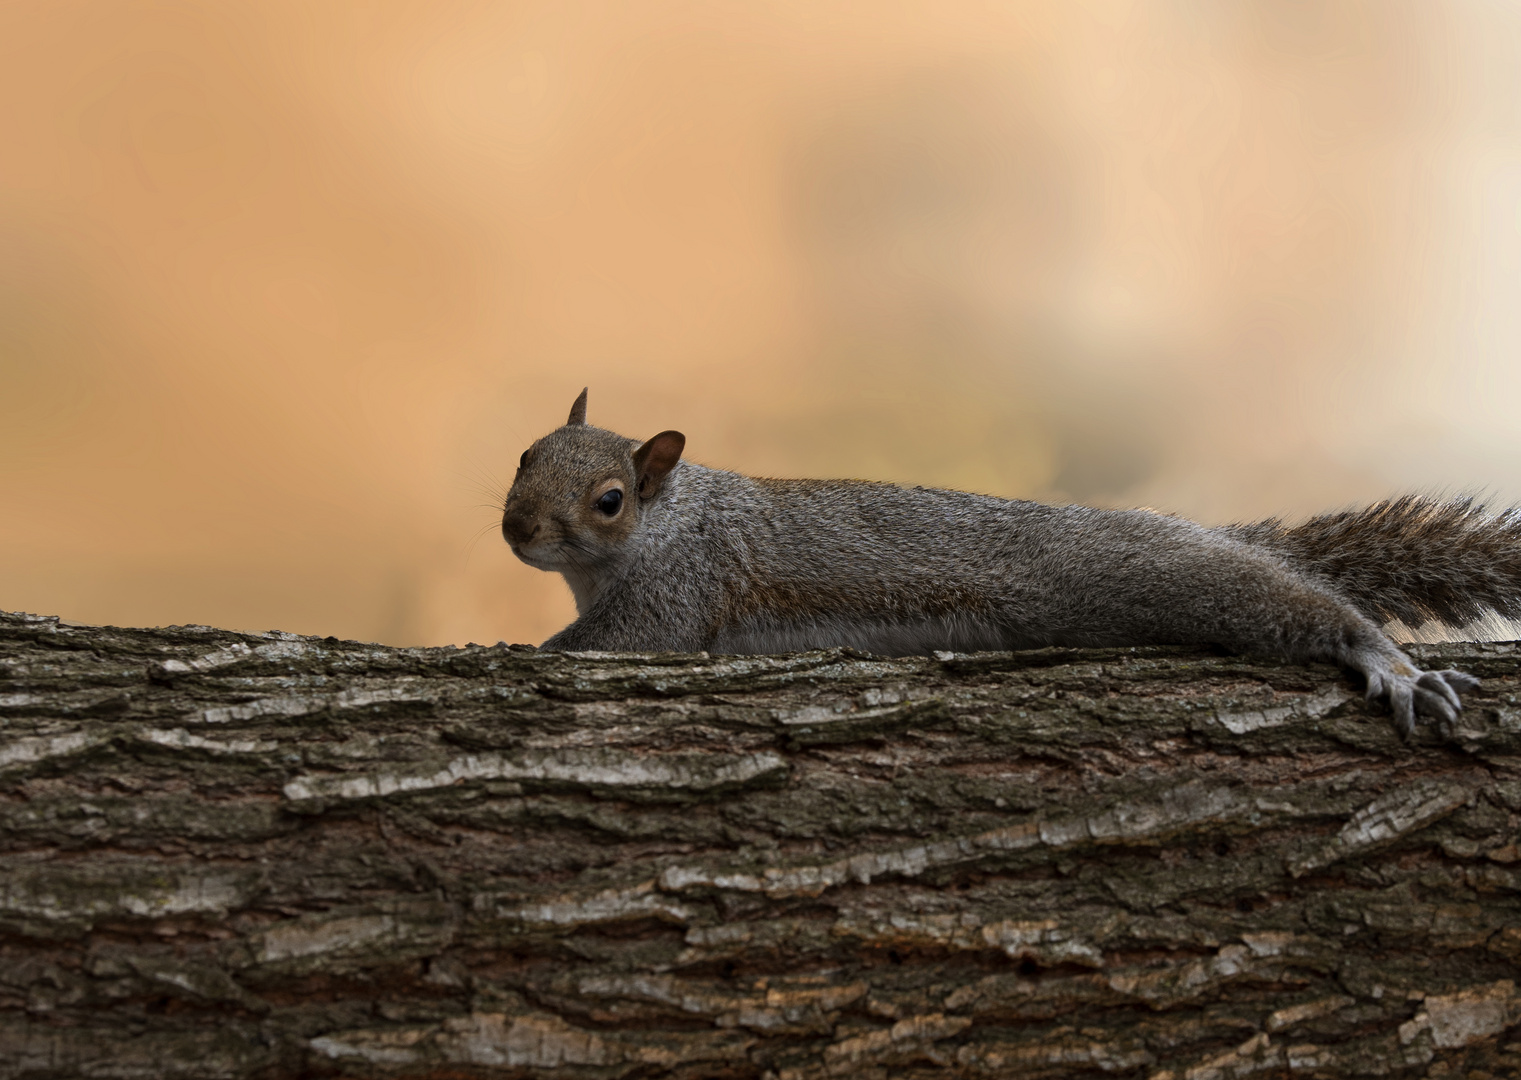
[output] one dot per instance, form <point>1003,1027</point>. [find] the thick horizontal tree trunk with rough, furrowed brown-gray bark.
<point>229,856</point>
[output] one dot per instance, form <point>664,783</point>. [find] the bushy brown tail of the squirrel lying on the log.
<point>1412,559</point>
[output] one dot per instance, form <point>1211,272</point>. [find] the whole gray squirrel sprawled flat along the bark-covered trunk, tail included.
<point>664,554</point>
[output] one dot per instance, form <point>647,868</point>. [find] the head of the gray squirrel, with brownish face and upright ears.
<point>580,494</point>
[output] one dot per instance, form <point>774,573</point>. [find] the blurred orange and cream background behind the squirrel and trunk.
<point>285,288</point>
